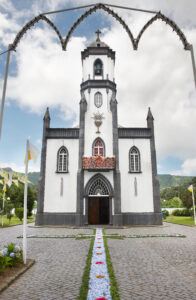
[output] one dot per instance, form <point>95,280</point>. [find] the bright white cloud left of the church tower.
<point>46,75</point>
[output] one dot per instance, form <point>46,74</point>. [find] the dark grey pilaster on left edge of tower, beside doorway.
<point>80,173</point>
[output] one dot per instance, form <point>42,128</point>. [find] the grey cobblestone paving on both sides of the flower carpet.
<point>146,268</point>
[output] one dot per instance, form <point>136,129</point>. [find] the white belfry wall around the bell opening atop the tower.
<point>108,67</point>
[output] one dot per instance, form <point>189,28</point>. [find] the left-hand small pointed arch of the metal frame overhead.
<point>32,23</point>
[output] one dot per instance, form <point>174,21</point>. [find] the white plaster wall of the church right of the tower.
<point>143,202</point>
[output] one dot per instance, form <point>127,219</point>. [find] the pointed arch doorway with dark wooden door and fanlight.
<point>99,194</point>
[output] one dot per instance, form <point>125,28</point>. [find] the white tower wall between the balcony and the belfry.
<point>106,127</point>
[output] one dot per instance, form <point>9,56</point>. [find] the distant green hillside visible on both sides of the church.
<point>165,180</point>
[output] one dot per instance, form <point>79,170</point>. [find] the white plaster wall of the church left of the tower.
<point>53,201</point>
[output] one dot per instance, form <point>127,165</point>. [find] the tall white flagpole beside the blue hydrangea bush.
<point>25,207</point>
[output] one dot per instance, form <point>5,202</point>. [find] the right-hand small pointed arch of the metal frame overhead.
<point>168,21</point>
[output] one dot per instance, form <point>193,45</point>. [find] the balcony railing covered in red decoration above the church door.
<point>98,162</point>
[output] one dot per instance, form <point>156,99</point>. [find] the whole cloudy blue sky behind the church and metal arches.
<point>158,75</point>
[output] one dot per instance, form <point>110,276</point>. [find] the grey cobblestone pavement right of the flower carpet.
<point>155,268</point>
